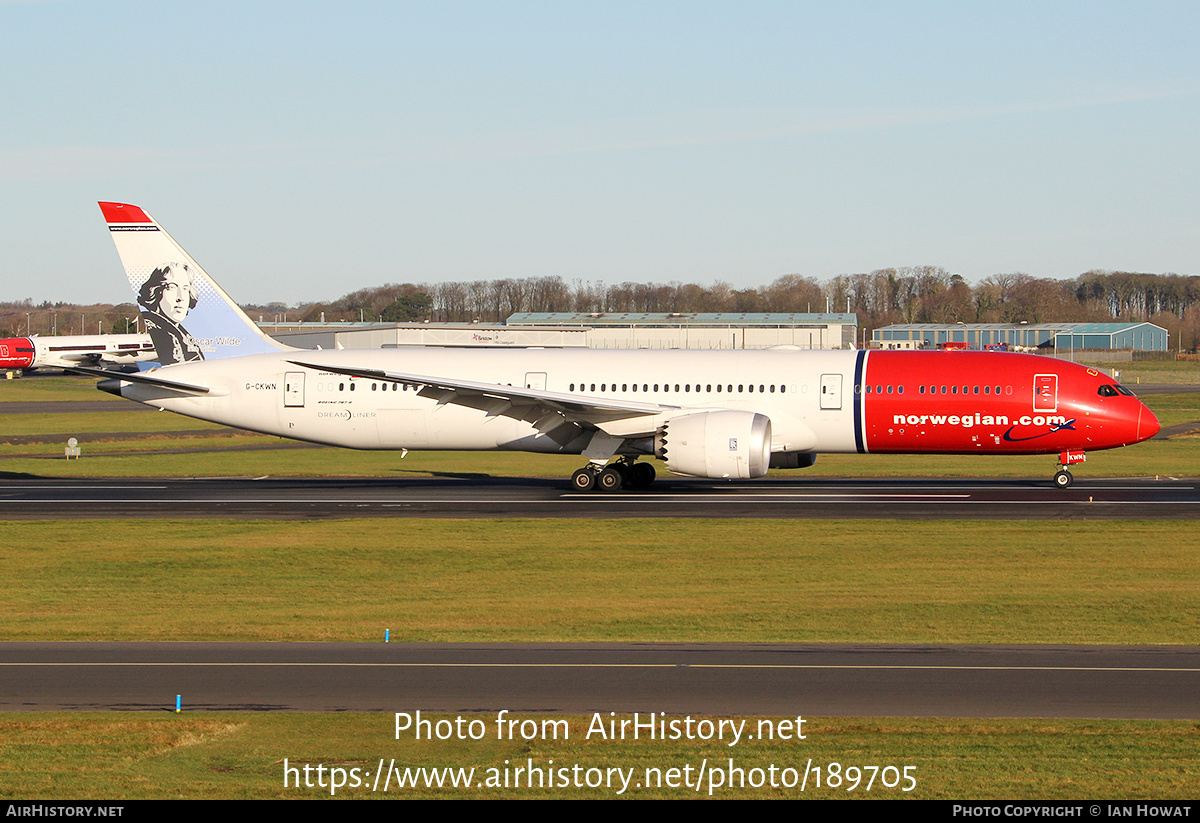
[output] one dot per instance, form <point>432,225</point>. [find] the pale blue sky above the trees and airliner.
<point>303,151</point>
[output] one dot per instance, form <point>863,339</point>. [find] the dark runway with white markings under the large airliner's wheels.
<point>907,498</point>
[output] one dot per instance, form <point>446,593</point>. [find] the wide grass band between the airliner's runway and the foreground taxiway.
<point>655,581</point>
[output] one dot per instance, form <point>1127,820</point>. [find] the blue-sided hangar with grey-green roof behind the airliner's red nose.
<point>1060,339</point>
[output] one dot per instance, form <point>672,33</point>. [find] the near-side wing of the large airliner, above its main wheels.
<point>536,406</point>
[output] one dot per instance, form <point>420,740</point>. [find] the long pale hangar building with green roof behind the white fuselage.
<point>599,331</point>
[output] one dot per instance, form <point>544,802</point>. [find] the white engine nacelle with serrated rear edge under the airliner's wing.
<point>717,444</point>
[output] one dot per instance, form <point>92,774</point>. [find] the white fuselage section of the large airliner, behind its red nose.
<point>268,394</point>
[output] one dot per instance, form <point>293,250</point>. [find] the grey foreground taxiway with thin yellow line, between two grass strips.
<point>729,680</point>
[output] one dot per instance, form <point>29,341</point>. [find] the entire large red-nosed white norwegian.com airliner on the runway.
<point>710,414</point>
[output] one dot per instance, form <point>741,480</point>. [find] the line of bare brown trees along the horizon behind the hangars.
<point>917,295</point>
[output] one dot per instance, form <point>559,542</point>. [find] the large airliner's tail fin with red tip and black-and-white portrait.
<point>188,315</point>
